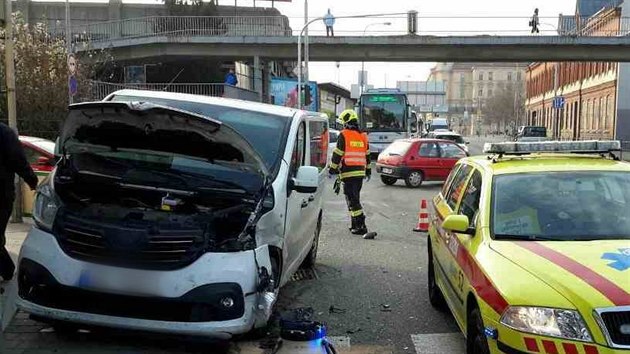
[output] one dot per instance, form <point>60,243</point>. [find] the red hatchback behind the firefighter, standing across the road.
<point>418,160</point>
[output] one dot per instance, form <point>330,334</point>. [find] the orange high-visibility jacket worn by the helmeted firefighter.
<point>351,157</point>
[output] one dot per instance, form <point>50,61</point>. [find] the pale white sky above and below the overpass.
<point>386,74</point>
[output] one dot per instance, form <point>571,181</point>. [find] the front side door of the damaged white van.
<point>296,223</point>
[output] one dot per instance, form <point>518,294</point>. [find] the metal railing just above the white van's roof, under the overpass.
<point>101,89</point>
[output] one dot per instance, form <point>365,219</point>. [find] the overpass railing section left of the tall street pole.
<point>183,26</point>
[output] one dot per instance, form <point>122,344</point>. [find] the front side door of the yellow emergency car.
<point>449,245</point>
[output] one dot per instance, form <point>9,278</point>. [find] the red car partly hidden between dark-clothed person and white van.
<point>40,153</point>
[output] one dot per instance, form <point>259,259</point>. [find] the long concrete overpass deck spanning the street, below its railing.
<point>376,48</point>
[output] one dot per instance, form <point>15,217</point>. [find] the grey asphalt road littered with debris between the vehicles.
<point>372,294</point>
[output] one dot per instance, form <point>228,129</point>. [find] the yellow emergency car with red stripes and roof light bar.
<point>529,247</point>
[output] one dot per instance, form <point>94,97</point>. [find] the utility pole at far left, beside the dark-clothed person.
<point>9,59</point>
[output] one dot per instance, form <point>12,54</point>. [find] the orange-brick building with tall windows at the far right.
<point>589,89</point>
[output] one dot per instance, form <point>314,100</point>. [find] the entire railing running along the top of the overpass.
<point>273,26</point>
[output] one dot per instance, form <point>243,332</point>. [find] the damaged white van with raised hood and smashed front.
<point>174,213</point>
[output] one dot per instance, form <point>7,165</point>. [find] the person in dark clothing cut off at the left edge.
<point>12,161</point>
